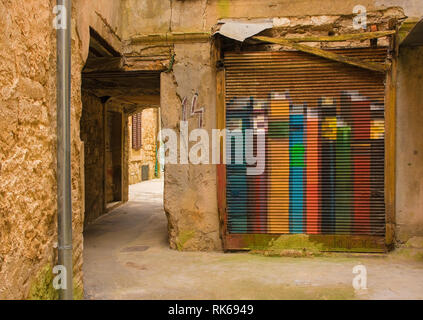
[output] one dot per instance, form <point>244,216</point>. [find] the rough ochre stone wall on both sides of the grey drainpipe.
<point>28,210</point>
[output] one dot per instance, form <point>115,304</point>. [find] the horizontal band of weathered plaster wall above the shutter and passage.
<point>150,16</point>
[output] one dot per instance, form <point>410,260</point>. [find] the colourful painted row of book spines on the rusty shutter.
<point>322,166</point>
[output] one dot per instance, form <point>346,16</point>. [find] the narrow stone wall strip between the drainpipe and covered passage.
<point>103,16</point>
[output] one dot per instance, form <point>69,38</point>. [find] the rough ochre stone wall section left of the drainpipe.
<point>27,144</point>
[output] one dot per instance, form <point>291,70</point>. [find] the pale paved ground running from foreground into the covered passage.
<point>126,256</point>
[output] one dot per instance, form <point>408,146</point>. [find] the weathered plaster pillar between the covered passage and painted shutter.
<point>190,190</point>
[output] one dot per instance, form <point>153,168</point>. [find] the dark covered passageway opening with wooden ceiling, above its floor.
<point>113,94</point>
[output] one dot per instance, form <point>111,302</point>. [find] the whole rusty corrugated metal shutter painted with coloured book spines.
<point>324,124</point>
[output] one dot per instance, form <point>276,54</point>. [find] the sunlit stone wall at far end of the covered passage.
<point>147,154</point>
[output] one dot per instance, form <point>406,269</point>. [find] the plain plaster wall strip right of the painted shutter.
<point>409,174</point>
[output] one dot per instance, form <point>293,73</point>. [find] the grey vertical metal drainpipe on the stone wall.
<point>64,204</point>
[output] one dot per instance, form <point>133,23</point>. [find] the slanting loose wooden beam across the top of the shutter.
<point>327,54</point>
